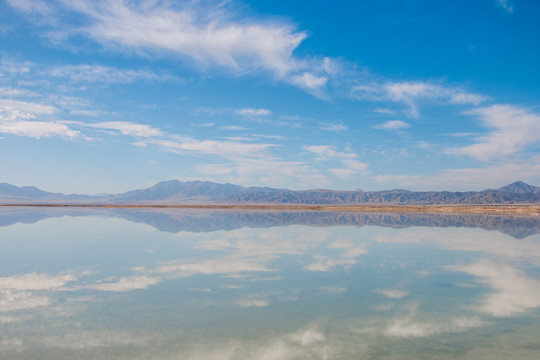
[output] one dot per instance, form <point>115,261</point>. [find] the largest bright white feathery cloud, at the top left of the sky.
<point>206,34</point>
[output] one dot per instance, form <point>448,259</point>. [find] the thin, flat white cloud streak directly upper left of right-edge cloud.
<point>410,93</point>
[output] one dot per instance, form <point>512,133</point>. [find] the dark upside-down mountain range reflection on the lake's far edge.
<point>176,220</point>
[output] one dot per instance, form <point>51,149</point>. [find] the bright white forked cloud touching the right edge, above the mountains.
<point>513,129</point>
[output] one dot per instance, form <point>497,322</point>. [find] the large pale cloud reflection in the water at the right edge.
<point>514,291</point>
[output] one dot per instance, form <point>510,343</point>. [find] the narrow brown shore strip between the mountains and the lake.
<point>447,209</point>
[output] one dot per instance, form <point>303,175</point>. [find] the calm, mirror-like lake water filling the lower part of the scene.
<point>179,284</point>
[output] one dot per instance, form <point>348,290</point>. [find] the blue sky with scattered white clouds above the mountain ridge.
<point>106,96</point>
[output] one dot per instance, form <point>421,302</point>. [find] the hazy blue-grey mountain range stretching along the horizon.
<point>204,192</point>
